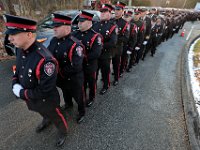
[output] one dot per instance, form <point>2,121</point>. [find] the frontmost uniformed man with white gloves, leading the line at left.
<point>35,78</point>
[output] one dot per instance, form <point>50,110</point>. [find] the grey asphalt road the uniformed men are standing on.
<point>144,112</point>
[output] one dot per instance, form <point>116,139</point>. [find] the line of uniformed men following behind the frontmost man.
<point>122,41</point>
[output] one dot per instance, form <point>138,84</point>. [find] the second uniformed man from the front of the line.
<point>69,53</point>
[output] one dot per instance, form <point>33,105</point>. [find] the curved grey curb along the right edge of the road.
<point>191,114</point>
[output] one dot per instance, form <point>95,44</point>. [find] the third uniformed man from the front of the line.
<point>93,46</point>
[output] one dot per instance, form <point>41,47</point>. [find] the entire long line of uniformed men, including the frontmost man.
<point>81,55</point>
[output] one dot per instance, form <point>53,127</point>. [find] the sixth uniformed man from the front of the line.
<point>128,49</point>
